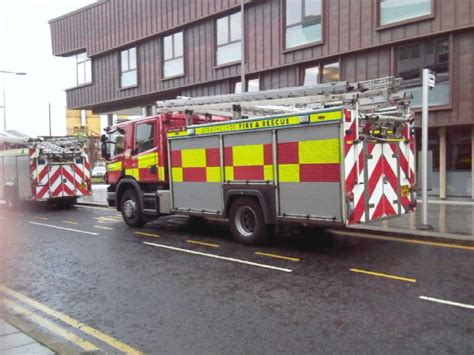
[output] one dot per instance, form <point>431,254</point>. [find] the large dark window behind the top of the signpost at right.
<point>413,58</point>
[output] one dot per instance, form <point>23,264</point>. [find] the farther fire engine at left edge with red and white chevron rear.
<point>54,170</point>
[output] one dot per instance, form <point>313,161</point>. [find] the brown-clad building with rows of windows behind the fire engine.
<point>131,53</point>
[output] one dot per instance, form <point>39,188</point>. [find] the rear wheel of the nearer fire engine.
<point>247,223</point>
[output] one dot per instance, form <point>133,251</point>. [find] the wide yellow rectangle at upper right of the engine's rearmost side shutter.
<point>322,151</point>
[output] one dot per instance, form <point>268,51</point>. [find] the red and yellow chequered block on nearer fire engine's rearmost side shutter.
<point>309,161</point>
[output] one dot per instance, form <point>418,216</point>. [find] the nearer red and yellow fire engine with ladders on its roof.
<point>341,154</point>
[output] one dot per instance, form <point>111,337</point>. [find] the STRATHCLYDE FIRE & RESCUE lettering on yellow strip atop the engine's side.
<point>249,125</point>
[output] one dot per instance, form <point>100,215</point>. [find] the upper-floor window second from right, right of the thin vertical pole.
<point>303,22</point>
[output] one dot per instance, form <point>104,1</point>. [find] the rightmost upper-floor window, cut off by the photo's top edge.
<point>392,11</point>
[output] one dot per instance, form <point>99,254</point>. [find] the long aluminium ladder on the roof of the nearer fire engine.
<point>371,96</point>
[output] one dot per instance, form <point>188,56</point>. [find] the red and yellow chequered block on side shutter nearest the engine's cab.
<point>195,165</point>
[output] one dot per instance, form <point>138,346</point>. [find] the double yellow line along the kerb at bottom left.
<point>87,346</point>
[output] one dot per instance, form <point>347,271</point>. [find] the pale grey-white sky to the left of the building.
<point>25,46</point>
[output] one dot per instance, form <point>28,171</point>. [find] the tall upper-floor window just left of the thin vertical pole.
<point>229,35</point>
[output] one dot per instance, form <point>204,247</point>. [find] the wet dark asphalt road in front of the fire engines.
<point>162,300</point>
